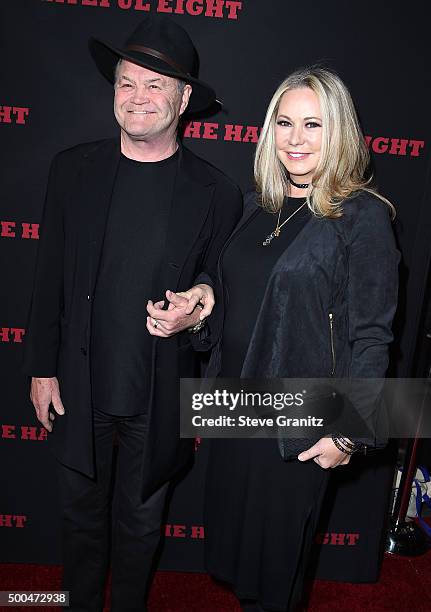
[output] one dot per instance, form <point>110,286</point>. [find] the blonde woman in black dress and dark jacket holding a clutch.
<point>311,279</point>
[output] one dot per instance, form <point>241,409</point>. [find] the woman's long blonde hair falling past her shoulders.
<point>344,156</point>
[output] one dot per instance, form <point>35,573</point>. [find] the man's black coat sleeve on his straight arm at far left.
<point>43,324</point>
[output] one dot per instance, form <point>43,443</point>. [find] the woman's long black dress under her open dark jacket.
<point>260,511</point>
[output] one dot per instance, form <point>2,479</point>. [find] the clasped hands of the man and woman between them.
<point>183,311</point>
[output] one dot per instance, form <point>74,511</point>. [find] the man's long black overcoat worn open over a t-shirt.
<point>205,208</point>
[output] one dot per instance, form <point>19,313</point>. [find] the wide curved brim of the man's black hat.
<point>106,58</point>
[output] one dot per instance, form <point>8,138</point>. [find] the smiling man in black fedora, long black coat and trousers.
<point>125,220</point>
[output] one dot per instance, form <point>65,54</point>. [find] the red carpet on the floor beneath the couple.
<point>404,586</point>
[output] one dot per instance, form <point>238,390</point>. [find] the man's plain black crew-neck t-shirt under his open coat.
<point>133,247</point>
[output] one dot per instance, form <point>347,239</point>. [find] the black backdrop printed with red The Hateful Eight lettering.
<point>53,97</point>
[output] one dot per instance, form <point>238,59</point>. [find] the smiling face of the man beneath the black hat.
<point>147,105</point>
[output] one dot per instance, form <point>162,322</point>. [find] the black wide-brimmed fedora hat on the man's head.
<point>160,44</point>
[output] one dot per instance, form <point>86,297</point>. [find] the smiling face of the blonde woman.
<point>298,133</point>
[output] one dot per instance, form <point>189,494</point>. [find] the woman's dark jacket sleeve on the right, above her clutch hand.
<point>372,301</point>
